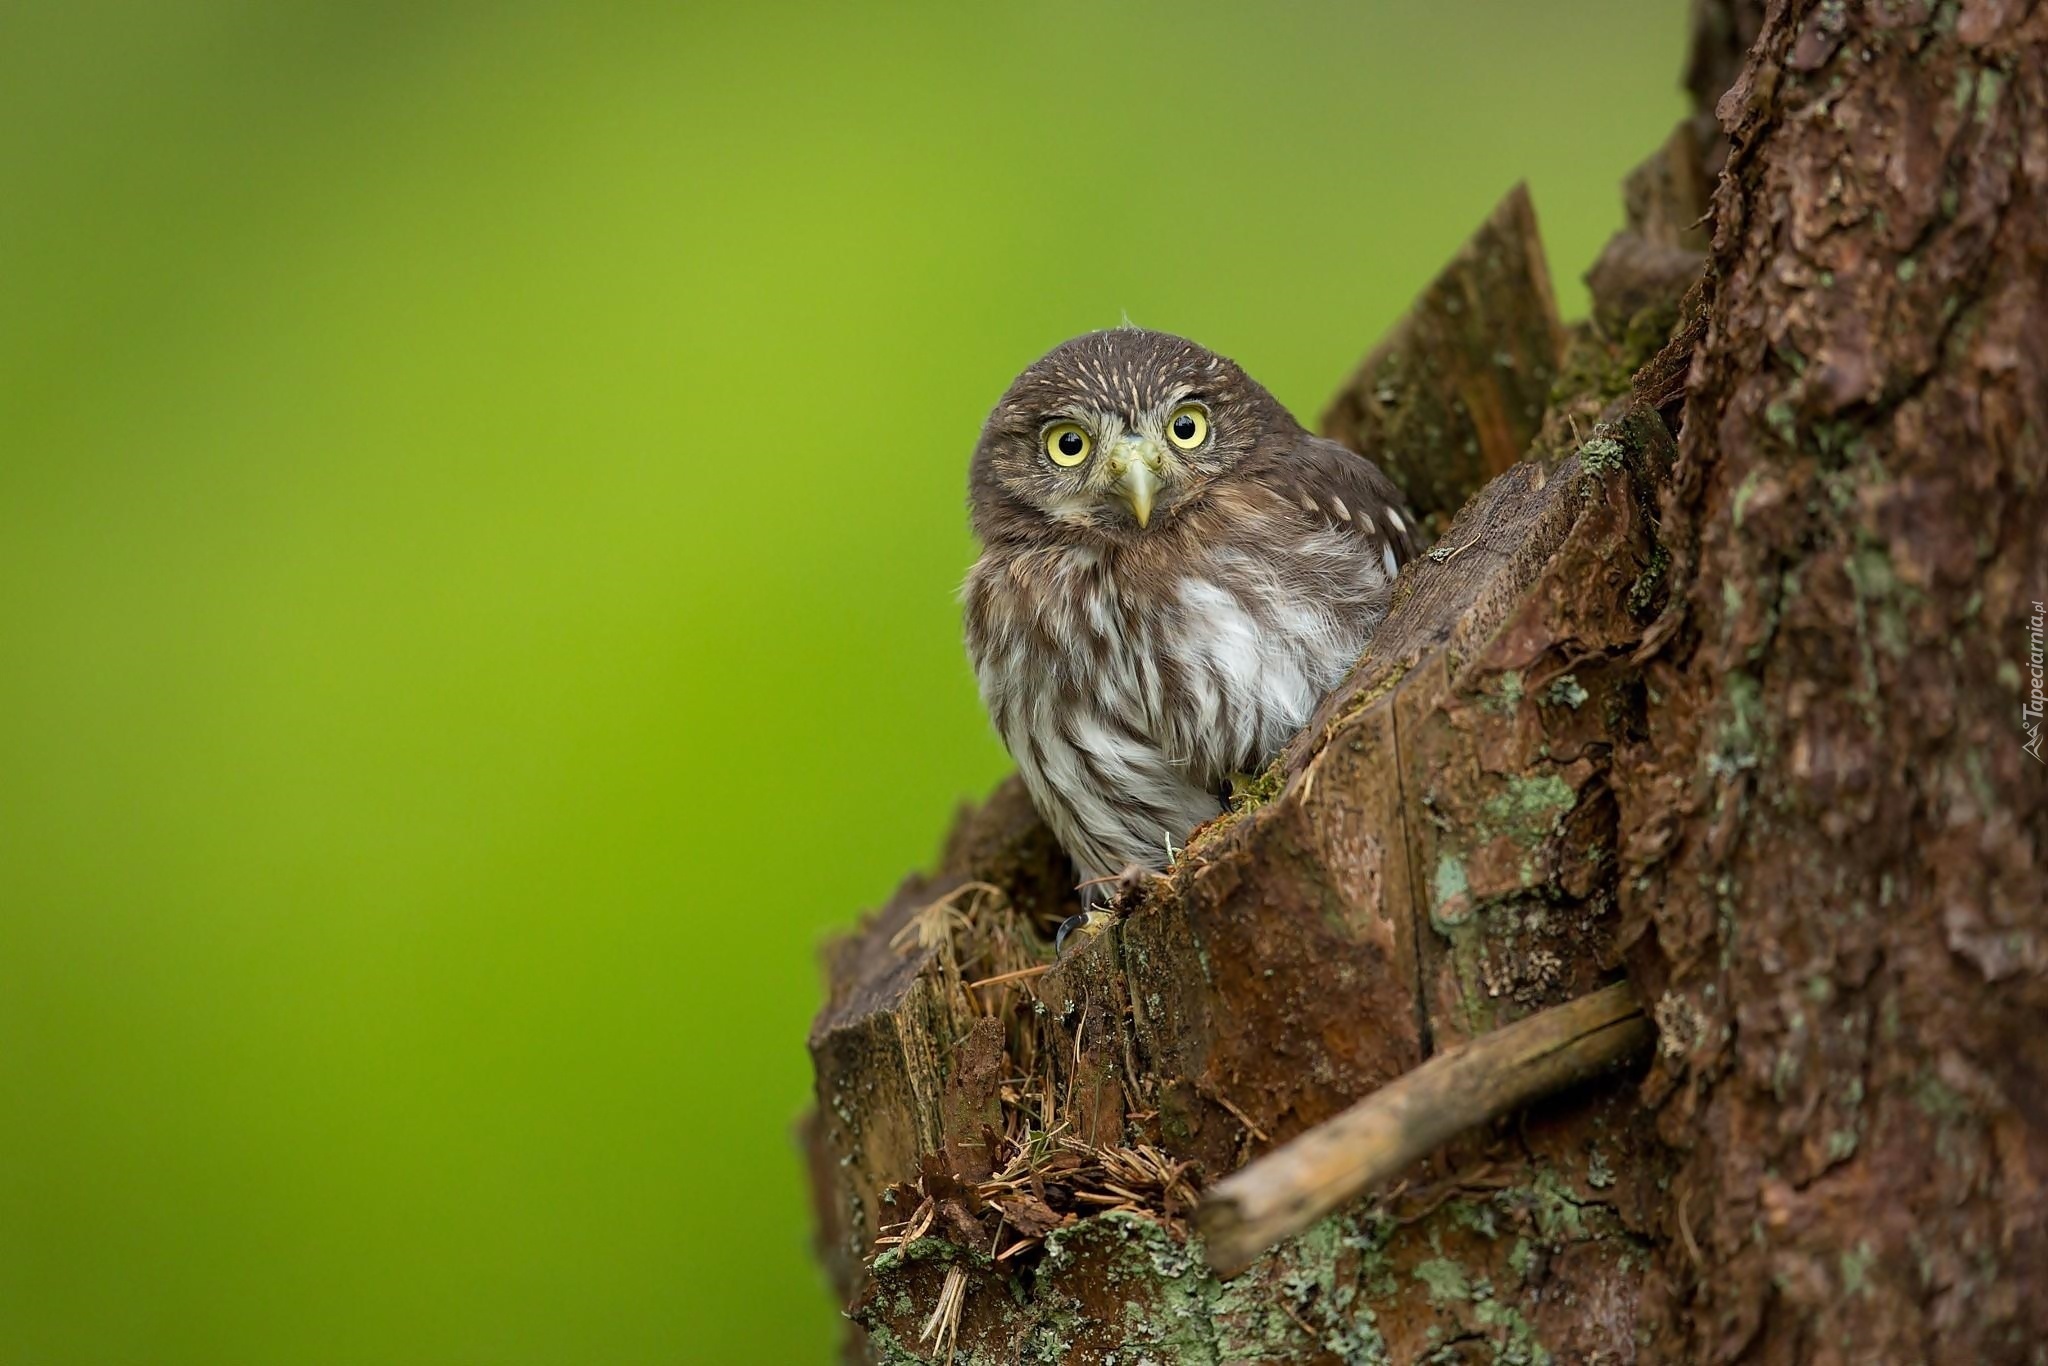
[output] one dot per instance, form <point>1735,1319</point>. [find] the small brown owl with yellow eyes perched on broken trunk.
<point>1172,577</point>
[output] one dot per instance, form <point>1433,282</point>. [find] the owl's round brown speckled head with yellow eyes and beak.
<point>1115,433</point>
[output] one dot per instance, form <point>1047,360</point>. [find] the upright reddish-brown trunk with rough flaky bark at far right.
<point>1832,837</point>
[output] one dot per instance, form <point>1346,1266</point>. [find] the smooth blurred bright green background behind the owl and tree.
<point>480,507</point>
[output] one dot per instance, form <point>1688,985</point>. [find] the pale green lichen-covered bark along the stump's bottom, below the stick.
<point>1476,1277</point>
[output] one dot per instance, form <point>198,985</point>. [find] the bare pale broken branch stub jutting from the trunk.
<point>1414,1115</point>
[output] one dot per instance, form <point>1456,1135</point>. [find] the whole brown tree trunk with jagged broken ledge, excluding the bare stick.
<point>1721,685</point>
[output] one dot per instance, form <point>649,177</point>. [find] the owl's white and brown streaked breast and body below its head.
<point>1129,697</point>
